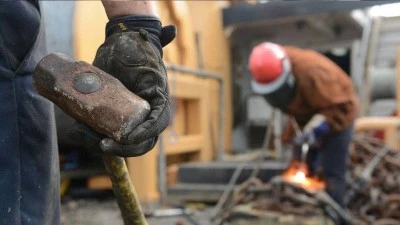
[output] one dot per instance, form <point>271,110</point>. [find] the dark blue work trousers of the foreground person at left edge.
<point>29,171</point>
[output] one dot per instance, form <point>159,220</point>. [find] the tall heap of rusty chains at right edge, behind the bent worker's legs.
<point>378,202</point>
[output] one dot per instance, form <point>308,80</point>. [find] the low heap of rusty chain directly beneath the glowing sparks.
<point>286,198</point>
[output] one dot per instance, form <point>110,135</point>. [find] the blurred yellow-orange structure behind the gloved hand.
<point>200,43</point>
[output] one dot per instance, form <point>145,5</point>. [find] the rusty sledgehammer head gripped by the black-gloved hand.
<point>90,96</point>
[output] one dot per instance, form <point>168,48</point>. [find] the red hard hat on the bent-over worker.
<point>265,62</point>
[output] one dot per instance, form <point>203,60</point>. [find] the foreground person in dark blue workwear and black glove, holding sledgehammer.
<point>132,52</point>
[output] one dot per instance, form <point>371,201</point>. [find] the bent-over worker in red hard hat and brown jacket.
<point>318,94</point>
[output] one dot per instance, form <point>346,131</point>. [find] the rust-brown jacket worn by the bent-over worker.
<point>321,87</point>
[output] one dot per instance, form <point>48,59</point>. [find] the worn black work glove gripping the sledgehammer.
<point>132,53</point>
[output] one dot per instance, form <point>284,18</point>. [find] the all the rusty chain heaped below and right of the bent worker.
<point>373,195</point>
